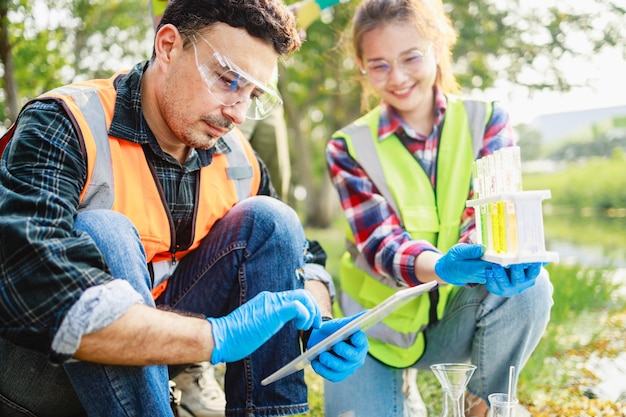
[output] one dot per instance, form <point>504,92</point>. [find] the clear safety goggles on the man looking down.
<point>230,85</point>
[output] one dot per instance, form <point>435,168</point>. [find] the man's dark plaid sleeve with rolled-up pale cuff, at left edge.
<point>47,270</point>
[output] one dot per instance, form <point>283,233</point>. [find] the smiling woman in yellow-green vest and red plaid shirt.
<point>403,174</point>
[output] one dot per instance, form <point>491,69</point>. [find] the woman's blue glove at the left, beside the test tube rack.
<point>462,265</point>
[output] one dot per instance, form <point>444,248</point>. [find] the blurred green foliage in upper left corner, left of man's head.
<point>59,41</point>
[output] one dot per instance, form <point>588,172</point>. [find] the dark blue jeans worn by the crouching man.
<point>257,246</point>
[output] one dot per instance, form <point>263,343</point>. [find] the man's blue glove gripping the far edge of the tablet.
<point>345,357</point>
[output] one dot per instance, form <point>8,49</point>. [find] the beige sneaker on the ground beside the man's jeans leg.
<point>202,396</point>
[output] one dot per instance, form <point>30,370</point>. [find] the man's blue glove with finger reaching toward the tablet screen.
<point>246,328</point>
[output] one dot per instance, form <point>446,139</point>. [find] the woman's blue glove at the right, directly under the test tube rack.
<point>513,279</point>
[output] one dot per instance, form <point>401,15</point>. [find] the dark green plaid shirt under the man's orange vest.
<point>45,267</point>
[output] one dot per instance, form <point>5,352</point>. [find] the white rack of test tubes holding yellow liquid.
<point>509,221</point>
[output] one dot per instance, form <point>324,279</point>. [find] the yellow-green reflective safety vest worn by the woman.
<point>425,213</point>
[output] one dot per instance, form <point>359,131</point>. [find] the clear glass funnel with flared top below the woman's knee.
<point>453,378</point>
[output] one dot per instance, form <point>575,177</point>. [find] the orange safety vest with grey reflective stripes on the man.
<point>120,177</point>
